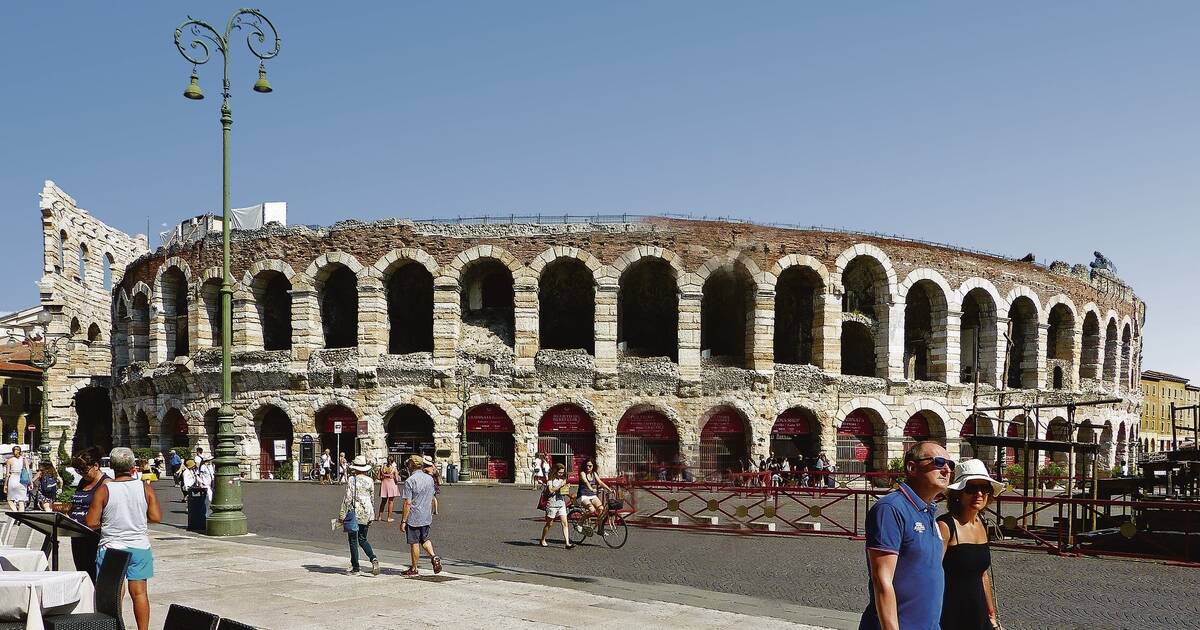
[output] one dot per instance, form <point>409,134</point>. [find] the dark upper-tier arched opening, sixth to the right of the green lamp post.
<point>649,310</point>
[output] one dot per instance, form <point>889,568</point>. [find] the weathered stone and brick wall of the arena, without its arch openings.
<point>513,373</point>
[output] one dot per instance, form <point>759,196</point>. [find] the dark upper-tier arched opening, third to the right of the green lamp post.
<point>410,310</point>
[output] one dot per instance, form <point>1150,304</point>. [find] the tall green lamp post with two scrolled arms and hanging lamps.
<point>229,519</point>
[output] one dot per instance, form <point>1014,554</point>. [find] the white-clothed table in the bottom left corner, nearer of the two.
<point>28,595</point>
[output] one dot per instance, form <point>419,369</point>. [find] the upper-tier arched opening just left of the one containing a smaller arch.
<point>796,304</point>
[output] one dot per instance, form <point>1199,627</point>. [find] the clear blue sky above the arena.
<point>1057,129</point>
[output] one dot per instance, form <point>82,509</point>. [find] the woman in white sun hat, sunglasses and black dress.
<point>968,602</point>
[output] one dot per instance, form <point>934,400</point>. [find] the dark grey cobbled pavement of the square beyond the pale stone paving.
<point>500,526</point>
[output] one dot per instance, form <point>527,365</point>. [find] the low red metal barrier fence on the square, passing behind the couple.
<point>1155,530</point>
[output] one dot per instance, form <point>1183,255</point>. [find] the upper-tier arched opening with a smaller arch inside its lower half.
<point>865,315</point>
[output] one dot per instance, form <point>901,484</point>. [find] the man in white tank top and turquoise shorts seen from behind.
<point>123,509</point>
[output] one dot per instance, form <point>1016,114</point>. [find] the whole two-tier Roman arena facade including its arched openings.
<point>649,344</point>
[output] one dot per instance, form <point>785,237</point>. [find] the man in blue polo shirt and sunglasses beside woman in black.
<point>904,548</point>
